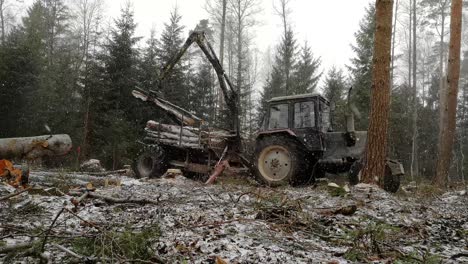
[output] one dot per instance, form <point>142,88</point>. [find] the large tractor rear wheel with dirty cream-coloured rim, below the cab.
<point>280,161</point>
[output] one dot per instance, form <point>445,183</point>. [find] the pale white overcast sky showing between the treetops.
<point>327,25</point>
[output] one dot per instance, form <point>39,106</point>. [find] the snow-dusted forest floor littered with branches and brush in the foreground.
<point>178,220</point>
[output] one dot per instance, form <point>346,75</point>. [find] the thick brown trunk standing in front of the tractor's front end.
<point>376,148</point>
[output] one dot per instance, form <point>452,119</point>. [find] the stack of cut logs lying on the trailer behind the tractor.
<point>186,136</point>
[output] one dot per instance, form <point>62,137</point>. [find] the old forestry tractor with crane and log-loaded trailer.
<point>296,143</point>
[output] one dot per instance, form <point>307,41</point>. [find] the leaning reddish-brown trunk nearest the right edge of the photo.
<point>453,75</point>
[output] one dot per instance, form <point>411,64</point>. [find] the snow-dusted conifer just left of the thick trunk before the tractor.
<point>361,66</point>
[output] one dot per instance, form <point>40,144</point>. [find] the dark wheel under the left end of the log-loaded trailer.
<point>150,162</point>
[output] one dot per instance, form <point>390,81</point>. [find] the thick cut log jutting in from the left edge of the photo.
<point>35,147</point>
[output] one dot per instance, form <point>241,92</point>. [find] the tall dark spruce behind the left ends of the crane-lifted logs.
<point>117,120</point>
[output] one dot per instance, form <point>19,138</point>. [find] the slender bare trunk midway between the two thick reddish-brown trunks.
<point>414,156</point>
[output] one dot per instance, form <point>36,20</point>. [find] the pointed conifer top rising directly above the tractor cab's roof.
<point>306,75</point>
